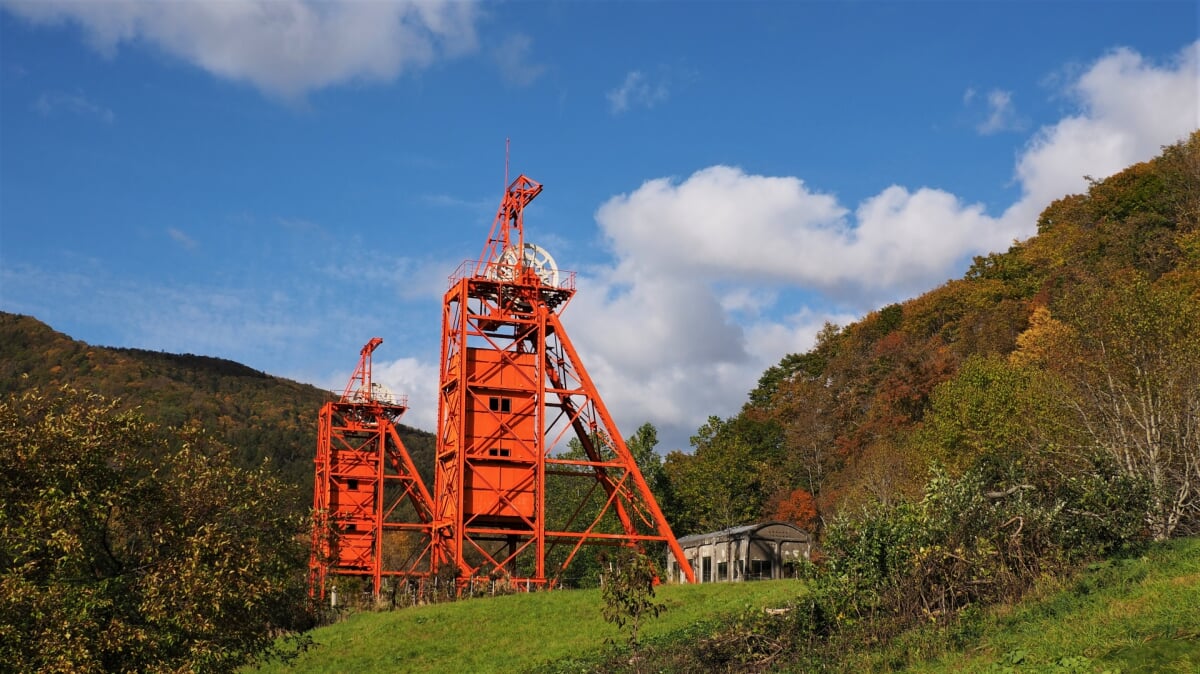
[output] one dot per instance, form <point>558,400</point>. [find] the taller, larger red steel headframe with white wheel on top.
<point>513,394</point>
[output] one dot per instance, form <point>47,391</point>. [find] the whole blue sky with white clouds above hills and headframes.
<point>279,182</point>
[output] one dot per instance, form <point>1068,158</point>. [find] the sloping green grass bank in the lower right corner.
<point>1131,616</point>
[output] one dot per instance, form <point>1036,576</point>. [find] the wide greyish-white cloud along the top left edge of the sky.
<point>284,47</point>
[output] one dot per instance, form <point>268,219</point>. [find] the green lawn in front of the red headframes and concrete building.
<point>513,634</point>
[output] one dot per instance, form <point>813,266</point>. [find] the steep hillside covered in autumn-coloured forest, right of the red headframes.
<point>1081,341</point>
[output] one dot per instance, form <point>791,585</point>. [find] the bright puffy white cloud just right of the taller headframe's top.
<point>723,224</point>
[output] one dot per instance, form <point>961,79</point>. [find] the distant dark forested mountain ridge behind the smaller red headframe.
<point>262,417</point>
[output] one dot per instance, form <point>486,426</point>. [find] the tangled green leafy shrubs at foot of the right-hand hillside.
<point>964,545</point>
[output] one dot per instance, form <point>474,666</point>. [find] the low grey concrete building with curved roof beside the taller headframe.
<point>752,552</point>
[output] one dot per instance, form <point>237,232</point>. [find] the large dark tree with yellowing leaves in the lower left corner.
<point>128,549</point>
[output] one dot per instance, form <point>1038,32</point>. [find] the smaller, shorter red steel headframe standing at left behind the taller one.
<point>373,511</point>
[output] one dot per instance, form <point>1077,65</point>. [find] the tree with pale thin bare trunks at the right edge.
<point>1132,359</point>
